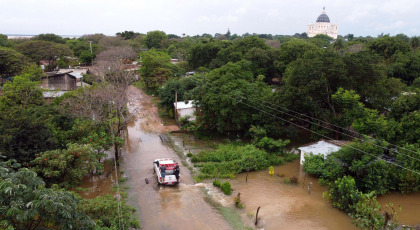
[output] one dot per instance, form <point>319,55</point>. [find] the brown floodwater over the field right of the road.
<point>287,206</point>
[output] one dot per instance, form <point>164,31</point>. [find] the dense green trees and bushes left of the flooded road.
<point>46,149</point>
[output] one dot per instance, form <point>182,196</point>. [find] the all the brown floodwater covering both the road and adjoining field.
<point>198,206</point>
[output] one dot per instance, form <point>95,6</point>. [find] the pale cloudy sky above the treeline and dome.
<point>78,17</point>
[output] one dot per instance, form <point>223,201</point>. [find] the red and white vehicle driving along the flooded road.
<point>167,171</point>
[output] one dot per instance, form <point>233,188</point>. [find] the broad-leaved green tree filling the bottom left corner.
<point>25,203</point>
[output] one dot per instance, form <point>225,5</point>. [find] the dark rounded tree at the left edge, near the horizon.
<point>11,62</point>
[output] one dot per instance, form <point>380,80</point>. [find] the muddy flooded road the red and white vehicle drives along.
<point>180,207</point>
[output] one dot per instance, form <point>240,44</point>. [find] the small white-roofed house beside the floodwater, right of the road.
<point>322,147</point>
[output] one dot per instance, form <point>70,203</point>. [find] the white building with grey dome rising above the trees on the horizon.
<point>323,26</point>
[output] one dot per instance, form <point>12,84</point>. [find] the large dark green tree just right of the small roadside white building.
<point>219,99</point>
